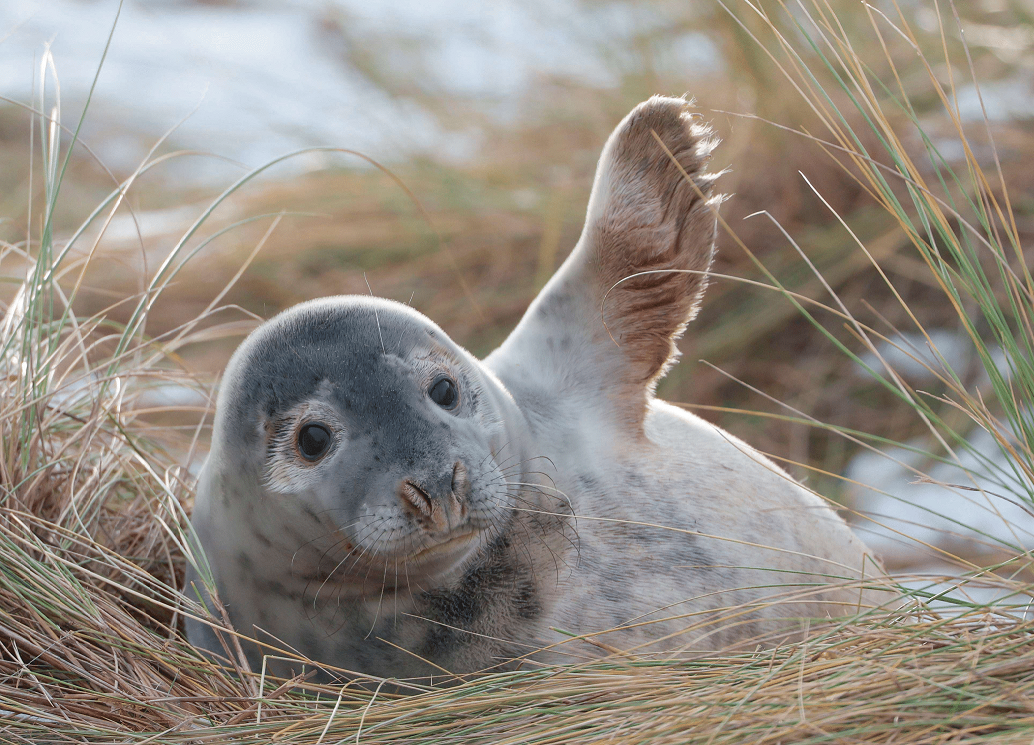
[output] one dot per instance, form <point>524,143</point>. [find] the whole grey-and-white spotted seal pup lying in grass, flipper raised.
<point>380,502</point>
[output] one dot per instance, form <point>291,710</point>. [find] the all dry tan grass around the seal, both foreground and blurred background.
<point>94,492</point>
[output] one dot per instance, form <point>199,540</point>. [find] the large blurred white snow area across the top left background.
<point>271,78</point>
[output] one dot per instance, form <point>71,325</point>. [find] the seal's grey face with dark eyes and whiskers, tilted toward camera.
<point>374,426</point>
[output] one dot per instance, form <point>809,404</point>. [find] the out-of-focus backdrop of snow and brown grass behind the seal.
<point>493,115</point>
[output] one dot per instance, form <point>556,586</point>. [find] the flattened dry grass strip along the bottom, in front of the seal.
<point>929,681</point>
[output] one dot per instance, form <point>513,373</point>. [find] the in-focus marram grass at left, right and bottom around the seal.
<point>94,510</point>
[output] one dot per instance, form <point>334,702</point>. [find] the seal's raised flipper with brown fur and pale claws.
<point>605,326</point>
